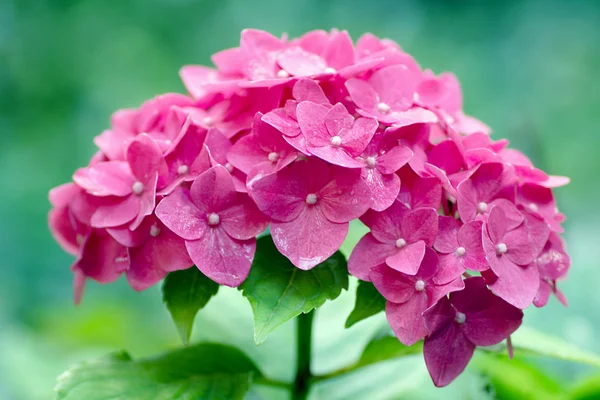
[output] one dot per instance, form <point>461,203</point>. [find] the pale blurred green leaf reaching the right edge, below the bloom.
<point>528,341</point>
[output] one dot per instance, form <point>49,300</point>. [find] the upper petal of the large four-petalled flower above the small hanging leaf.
<point>213,190</point>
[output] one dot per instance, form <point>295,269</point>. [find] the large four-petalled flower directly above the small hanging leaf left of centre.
<point>218,224</point>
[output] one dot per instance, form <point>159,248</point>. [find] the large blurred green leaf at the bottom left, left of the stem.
<point>206,371</point>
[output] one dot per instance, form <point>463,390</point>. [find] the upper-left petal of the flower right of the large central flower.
<point>386,225</point>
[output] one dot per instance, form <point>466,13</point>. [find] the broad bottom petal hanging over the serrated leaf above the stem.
<point>309,239</point>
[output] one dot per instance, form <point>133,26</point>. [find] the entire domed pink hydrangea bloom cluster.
<point>306,135</point>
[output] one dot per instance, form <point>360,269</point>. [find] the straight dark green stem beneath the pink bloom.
<point>303,356</point>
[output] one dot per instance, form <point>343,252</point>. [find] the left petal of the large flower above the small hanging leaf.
<point>179,214</point>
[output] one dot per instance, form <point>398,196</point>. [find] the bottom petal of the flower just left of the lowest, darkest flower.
<point>406,319</point>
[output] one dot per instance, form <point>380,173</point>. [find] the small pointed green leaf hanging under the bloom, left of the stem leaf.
<point>185,292</point>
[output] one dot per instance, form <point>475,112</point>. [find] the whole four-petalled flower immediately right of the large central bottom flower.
<point>399,238</point>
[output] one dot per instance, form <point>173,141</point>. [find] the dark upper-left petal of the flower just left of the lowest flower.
<point>393,285</point>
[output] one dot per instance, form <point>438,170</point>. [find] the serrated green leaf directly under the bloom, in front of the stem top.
<point>278,291</point>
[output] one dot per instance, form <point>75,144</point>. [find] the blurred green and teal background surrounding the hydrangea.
<point>528,68</point>
